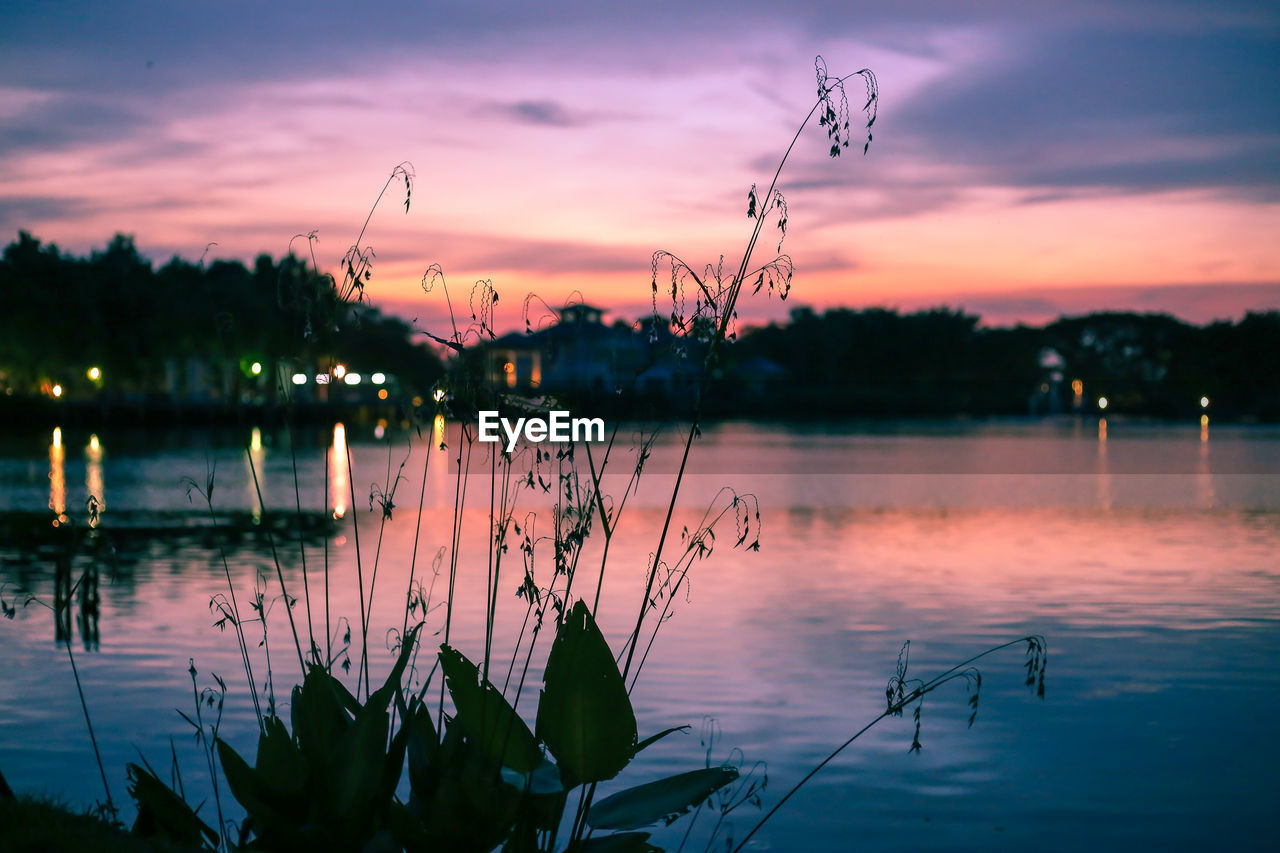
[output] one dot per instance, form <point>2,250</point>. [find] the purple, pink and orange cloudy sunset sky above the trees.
<point>1030,159</point>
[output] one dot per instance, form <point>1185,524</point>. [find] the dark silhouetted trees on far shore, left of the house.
<point>113,311</point>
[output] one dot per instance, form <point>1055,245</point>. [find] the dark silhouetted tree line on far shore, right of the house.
<point>940,362</point>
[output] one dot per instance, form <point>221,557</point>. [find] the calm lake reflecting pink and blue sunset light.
<point>1146,555</point>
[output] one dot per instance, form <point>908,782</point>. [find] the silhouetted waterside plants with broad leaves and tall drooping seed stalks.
<point>449,759</point>
